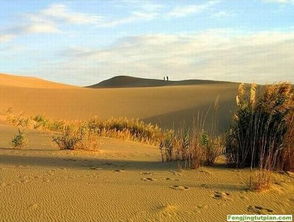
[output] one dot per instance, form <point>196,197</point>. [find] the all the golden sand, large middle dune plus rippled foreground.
<point>124,180</point>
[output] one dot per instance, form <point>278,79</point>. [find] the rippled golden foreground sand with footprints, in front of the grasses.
<point>123,182</point>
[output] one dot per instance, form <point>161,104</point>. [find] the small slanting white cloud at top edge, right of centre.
<point>183,11</point>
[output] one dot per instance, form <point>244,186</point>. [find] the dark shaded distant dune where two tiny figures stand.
<point>129,81</point>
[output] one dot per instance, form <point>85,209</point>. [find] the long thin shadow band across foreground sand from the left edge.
<point>82,163</point>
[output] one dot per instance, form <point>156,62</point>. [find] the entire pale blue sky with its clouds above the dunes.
<point>83,42</point>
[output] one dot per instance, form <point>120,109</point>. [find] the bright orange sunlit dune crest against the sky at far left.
<point>28,82</point>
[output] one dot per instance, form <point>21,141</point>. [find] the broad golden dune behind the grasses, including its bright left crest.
<point>169,106</point>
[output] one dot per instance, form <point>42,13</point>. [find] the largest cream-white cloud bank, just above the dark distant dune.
<point>221,55</point>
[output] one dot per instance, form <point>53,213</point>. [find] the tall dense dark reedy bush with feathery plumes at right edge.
<point>261,134</point>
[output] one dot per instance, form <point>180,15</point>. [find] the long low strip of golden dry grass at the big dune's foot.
<point>123,128</point>
